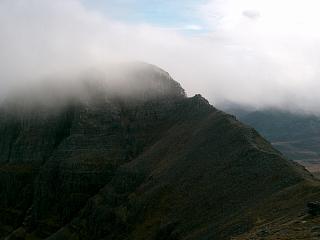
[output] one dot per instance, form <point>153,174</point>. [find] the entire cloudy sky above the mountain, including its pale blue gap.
<point>264,53</point>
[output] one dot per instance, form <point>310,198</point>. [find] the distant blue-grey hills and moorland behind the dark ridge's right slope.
<point>295,135</point>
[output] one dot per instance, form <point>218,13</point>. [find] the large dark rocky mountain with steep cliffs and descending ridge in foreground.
<point>152,165</point>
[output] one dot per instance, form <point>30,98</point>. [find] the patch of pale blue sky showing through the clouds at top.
<point>179,14</point>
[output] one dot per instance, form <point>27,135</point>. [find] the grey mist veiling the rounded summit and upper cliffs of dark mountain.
<point>133,82</point>
